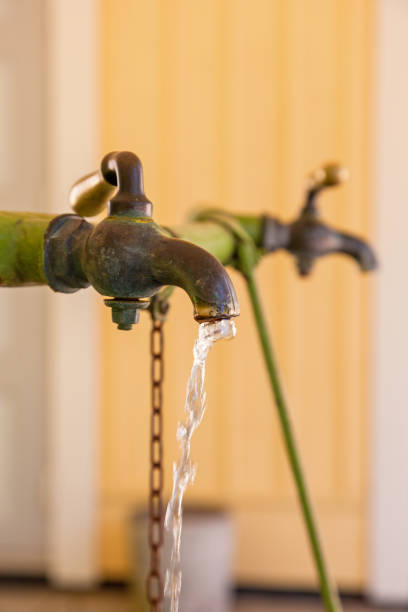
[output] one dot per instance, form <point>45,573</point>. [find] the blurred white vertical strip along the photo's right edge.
<point>388,537</point>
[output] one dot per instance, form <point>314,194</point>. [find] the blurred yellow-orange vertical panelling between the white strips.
<point>233,102</point>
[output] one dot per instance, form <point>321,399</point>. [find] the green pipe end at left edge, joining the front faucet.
<point>22,248</point>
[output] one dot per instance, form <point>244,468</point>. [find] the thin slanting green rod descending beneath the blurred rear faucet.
<point>328,590</point>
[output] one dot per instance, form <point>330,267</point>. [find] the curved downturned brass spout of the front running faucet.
<point>183,264</point>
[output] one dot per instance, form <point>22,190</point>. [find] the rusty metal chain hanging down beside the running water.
<point>154,580</point>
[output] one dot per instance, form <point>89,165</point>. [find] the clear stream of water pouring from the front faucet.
<point>184,471</point>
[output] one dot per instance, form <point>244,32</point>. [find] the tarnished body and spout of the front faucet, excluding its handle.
<point>133,258</point>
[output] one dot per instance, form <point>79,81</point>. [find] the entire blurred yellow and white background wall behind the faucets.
<point>227,103</point>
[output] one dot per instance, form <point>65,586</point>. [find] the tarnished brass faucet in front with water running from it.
<point>127,256</point>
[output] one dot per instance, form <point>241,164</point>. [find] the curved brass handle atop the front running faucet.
<point>118,184</point>
